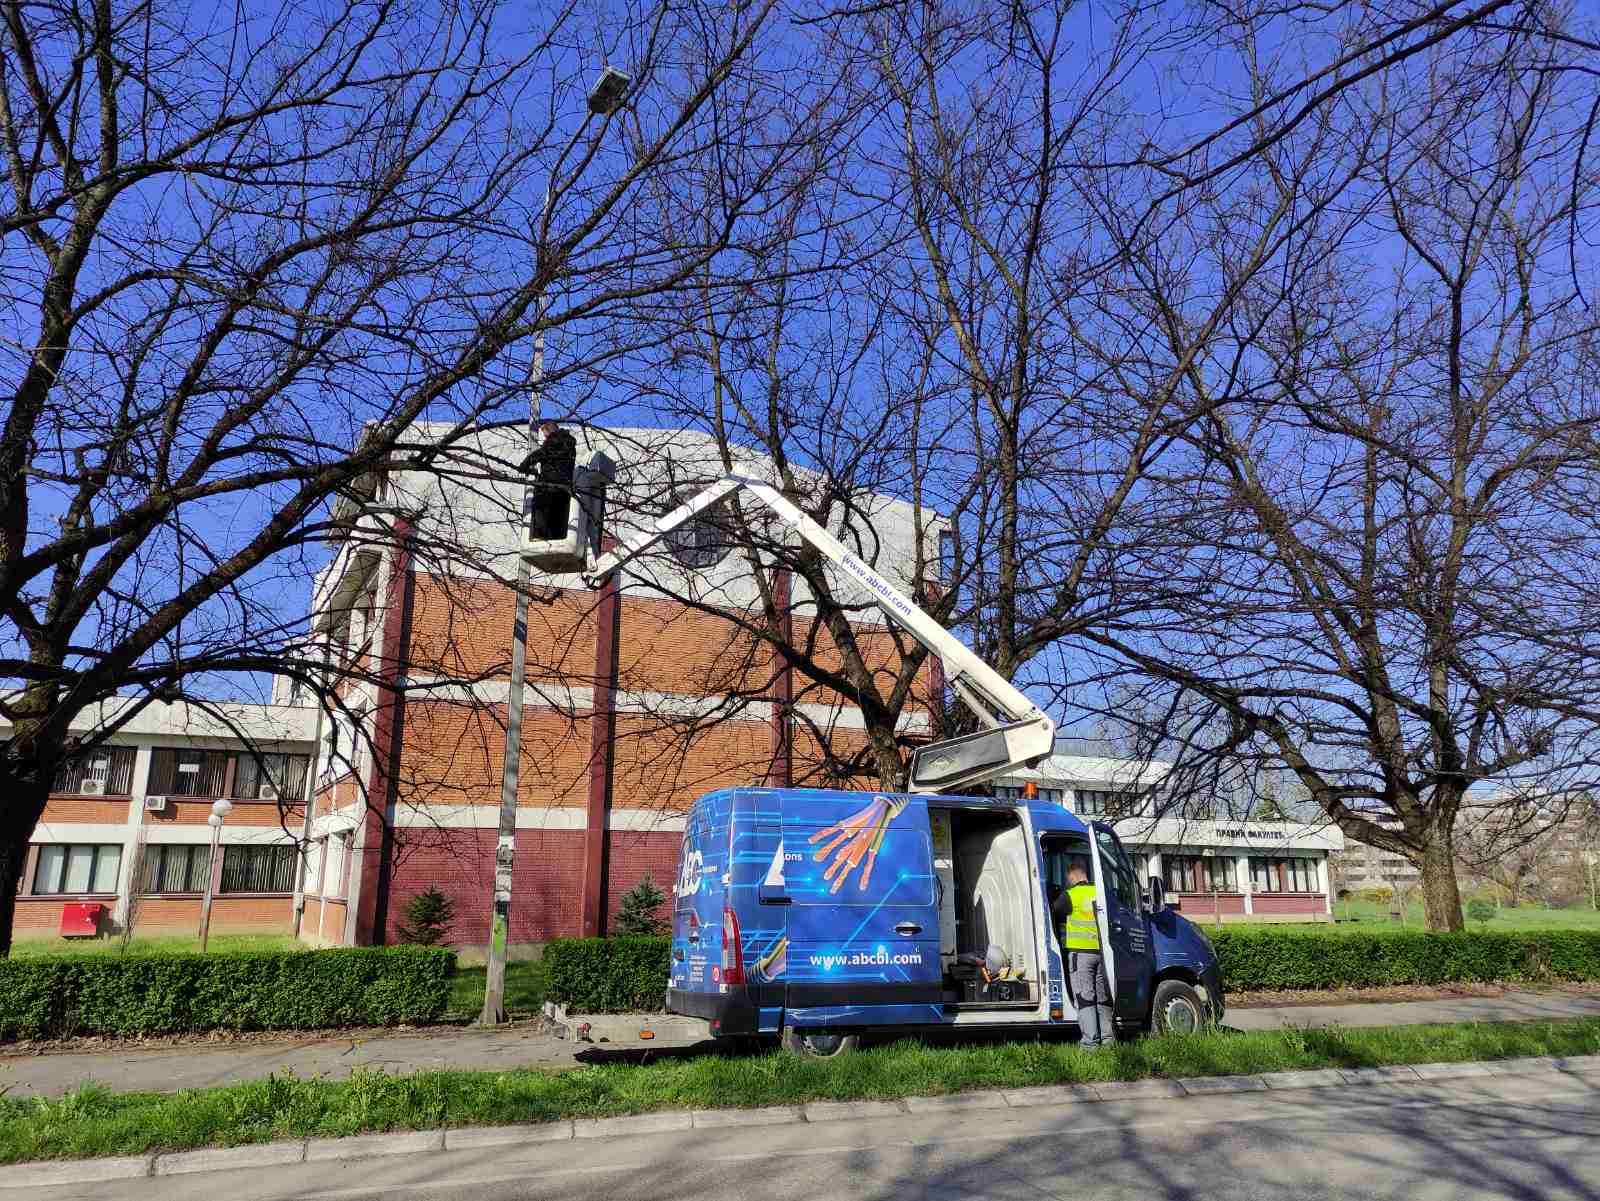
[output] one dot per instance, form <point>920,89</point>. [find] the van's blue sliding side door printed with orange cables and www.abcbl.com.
<point>863,920</point>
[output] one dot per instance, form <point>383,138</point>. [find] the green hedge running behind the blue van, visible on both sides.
<point>612,976</point>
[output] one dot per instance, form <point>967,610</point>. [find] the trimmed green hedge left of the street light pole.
<point>242,991</point>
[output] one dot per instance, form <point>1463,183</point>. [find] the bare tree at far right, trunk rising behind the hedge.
<point>1388,575</point>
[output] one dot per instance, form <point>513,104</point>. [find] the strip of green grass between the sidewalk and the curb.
<point>94,1122</point>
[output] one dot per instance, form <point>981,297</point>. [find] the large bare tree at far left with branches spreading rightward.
<point>244,257</point>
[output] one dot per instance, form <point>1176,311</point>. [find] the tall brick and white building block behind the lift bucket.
<point>639,698</point>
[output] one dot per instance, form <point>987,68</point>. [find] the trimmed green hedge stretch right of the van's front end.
<point>1268,959</point>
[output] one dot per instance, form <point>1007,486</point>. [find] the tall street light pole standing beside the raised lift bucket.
<point>606,98</point>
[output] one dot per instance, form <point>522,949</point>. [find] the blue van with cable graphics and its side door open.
<point>817,916</point>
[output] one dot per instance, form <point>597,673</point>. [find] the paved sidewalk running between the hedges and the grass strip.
<point>207,1066</point>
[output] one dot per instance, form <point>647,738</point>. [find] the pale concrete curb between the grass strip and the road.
<point>49,1173</point>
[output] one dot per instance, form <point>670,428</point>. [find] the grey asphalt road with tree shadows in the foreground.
<point>1526,1136</point>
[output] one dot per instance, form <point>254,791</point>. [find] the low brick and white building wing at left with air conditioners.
<point>126,826</point>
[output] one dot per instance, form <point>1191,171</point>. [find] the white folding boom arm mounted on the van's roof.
<point>1017,732</point>
